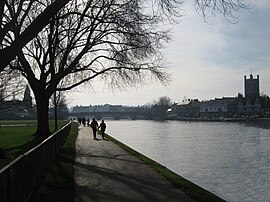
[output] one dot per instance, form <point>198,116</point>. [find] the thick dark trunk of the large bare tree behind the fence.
<point>42,116</point>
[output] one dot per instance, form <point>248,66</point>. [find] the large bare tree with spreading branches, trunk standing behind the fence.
<point>118,41</point>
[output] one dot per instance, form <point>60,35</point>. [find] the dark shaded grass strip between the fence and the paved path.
<point>58,184</point>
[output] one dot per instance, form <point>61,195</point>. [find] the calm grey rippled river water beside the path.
<point>232,160</point>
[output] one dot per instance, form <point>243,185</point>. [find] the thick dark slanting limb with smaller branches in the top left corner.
<point>15,28</point>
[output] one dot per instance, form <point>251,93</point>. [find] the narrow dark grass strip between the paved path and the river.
<point>192,190</point>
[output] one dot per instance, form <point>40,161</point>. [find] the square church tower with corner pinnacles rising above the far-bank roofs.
<point>252,87</point>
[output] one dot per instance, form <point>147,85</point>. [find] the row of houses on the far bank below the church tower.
<point>221,107</point>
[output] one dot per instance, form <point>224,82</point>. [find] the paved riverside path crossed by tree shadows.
<point>105,172</point>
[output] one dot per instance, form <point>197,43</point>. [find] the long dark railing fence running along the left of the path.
<point>19,178</point>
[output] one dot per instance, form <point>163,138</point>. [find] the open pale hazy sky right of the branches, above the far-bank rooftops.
<point>206,60</point>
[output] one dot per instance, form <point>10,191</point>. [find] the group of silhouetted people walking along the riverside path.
<point>94,125</point>
